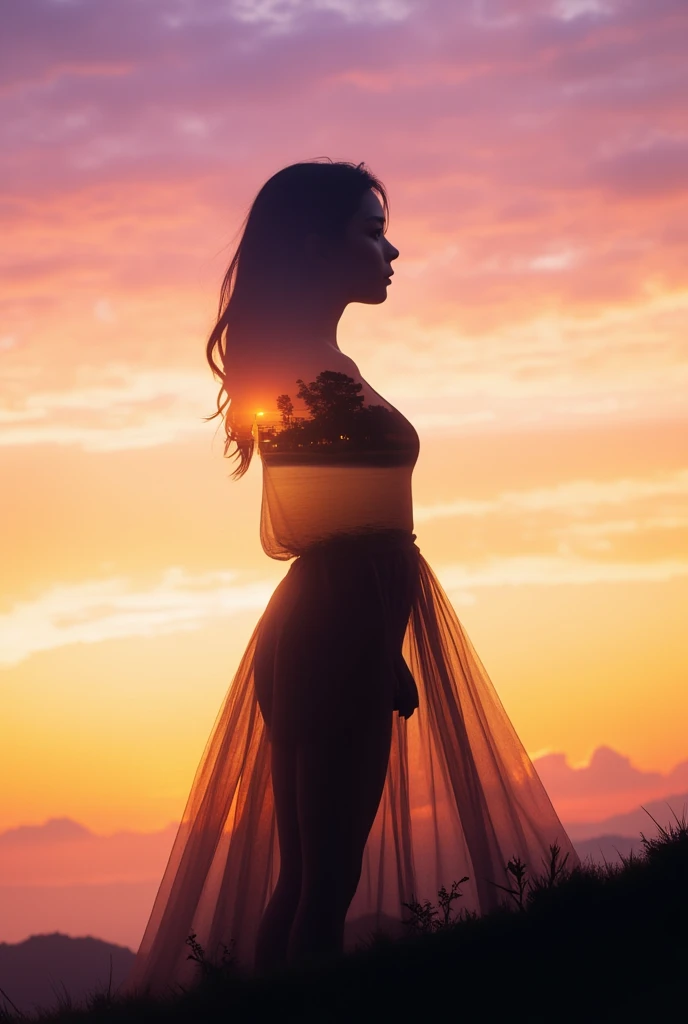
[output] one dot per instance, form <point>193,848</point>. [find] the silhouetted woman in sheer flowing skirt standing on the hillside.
<point>362,757</point>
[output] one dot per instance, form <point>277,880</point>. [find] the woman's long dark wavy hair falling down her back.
<point>319,196</point>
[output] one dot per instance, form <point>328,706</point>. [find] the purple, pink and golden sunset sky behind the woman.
<point>536,154</point>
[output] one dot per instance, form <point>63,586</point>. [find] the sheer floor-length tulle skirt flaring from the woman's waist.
<point>461,796</point>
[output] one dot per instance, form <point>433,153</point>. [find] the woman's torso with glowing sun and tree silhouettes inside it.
<point>340,461</point>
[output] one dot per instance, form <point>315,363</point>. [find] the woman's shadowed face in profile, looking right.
<point>362,262</point>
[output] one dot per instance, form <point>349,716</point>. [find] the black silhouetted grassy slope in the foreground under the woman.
<point>594,945</point>
